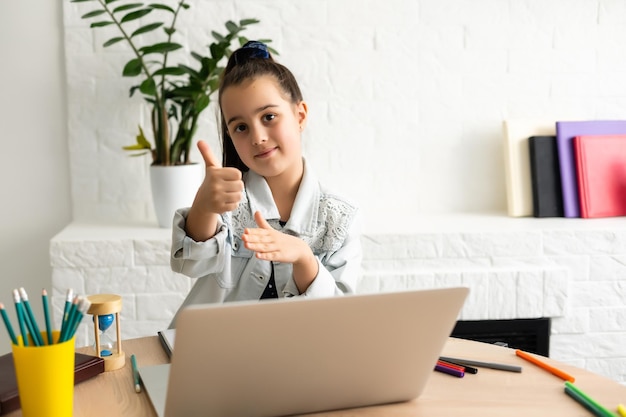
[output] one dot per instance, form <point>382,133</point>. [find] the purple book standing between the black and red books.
<point>565,133</point>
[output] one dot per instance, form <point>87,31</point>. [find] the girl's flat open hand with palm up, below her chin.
<point>272,245</point>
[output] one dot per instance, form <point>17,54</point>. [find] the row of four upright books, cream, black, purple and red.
<point>565,168</point>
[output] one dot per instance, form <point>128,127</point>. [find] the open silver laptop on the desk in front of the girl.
<point>296,356</point>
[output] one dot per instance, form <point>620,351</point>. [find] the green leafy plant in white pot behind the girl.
<point>176,93</point>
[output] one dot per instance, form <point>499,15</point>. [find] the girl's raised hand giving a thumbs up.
<point>221,189</point>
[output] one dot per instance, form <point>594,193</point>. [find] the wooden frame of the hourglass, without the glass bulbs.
<point>104,304</point>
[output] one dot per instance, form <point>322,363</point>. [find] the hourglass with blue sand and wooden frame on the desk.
<point>105,309</point>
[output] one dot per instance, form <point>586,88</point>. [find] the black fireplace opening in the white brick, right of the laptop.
<point>530,335</point>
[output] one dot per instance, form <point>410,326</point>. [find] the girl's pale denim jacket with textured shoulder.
<point>227,271</point>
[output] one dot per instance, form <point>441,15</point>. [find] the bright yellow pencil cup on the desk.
<point>45,377</point>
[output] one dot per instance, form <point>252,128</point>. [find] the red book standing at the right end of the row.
<point>601,175</point>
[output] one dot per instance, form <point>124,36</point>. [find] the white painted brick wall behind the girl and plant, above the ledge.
<point>417,89</point>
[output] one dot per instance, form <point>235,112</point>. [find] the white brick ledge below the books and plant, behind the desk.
<point>572,270</point>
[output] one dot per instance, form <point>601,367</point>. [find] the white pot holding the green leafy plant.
<point>173,187</point>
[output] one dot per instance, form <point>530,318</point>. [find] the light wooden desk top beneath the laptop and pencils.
<point>534,392</point>
